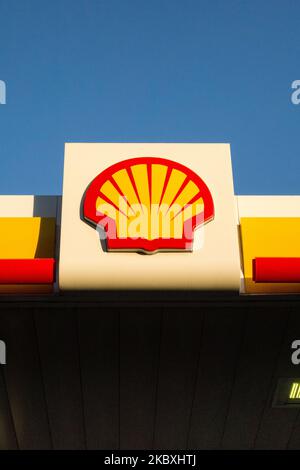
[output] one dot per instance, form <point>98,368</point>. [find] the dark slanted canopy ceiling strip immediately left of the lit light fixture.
<point>264,331</point>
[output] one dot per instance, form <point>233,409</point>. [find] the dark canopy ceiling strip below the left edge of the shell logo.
<point>98,329</point>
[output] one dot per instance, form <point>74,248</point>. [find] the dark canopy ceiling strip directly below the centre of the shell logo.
<point>139,353</point>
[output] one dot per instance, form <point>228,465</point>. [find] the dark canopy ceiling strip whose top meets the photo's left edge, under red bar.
<point>23,378</point>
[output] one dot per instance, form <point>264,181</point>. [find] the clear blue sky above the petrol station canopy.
<point>154,71</point>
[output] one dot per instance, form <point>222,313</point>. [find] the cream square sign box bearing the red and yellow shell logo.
<point>191,177</point>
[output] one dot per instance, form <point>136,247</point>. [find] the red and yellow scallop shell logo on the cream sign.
<point>148,204</point>
